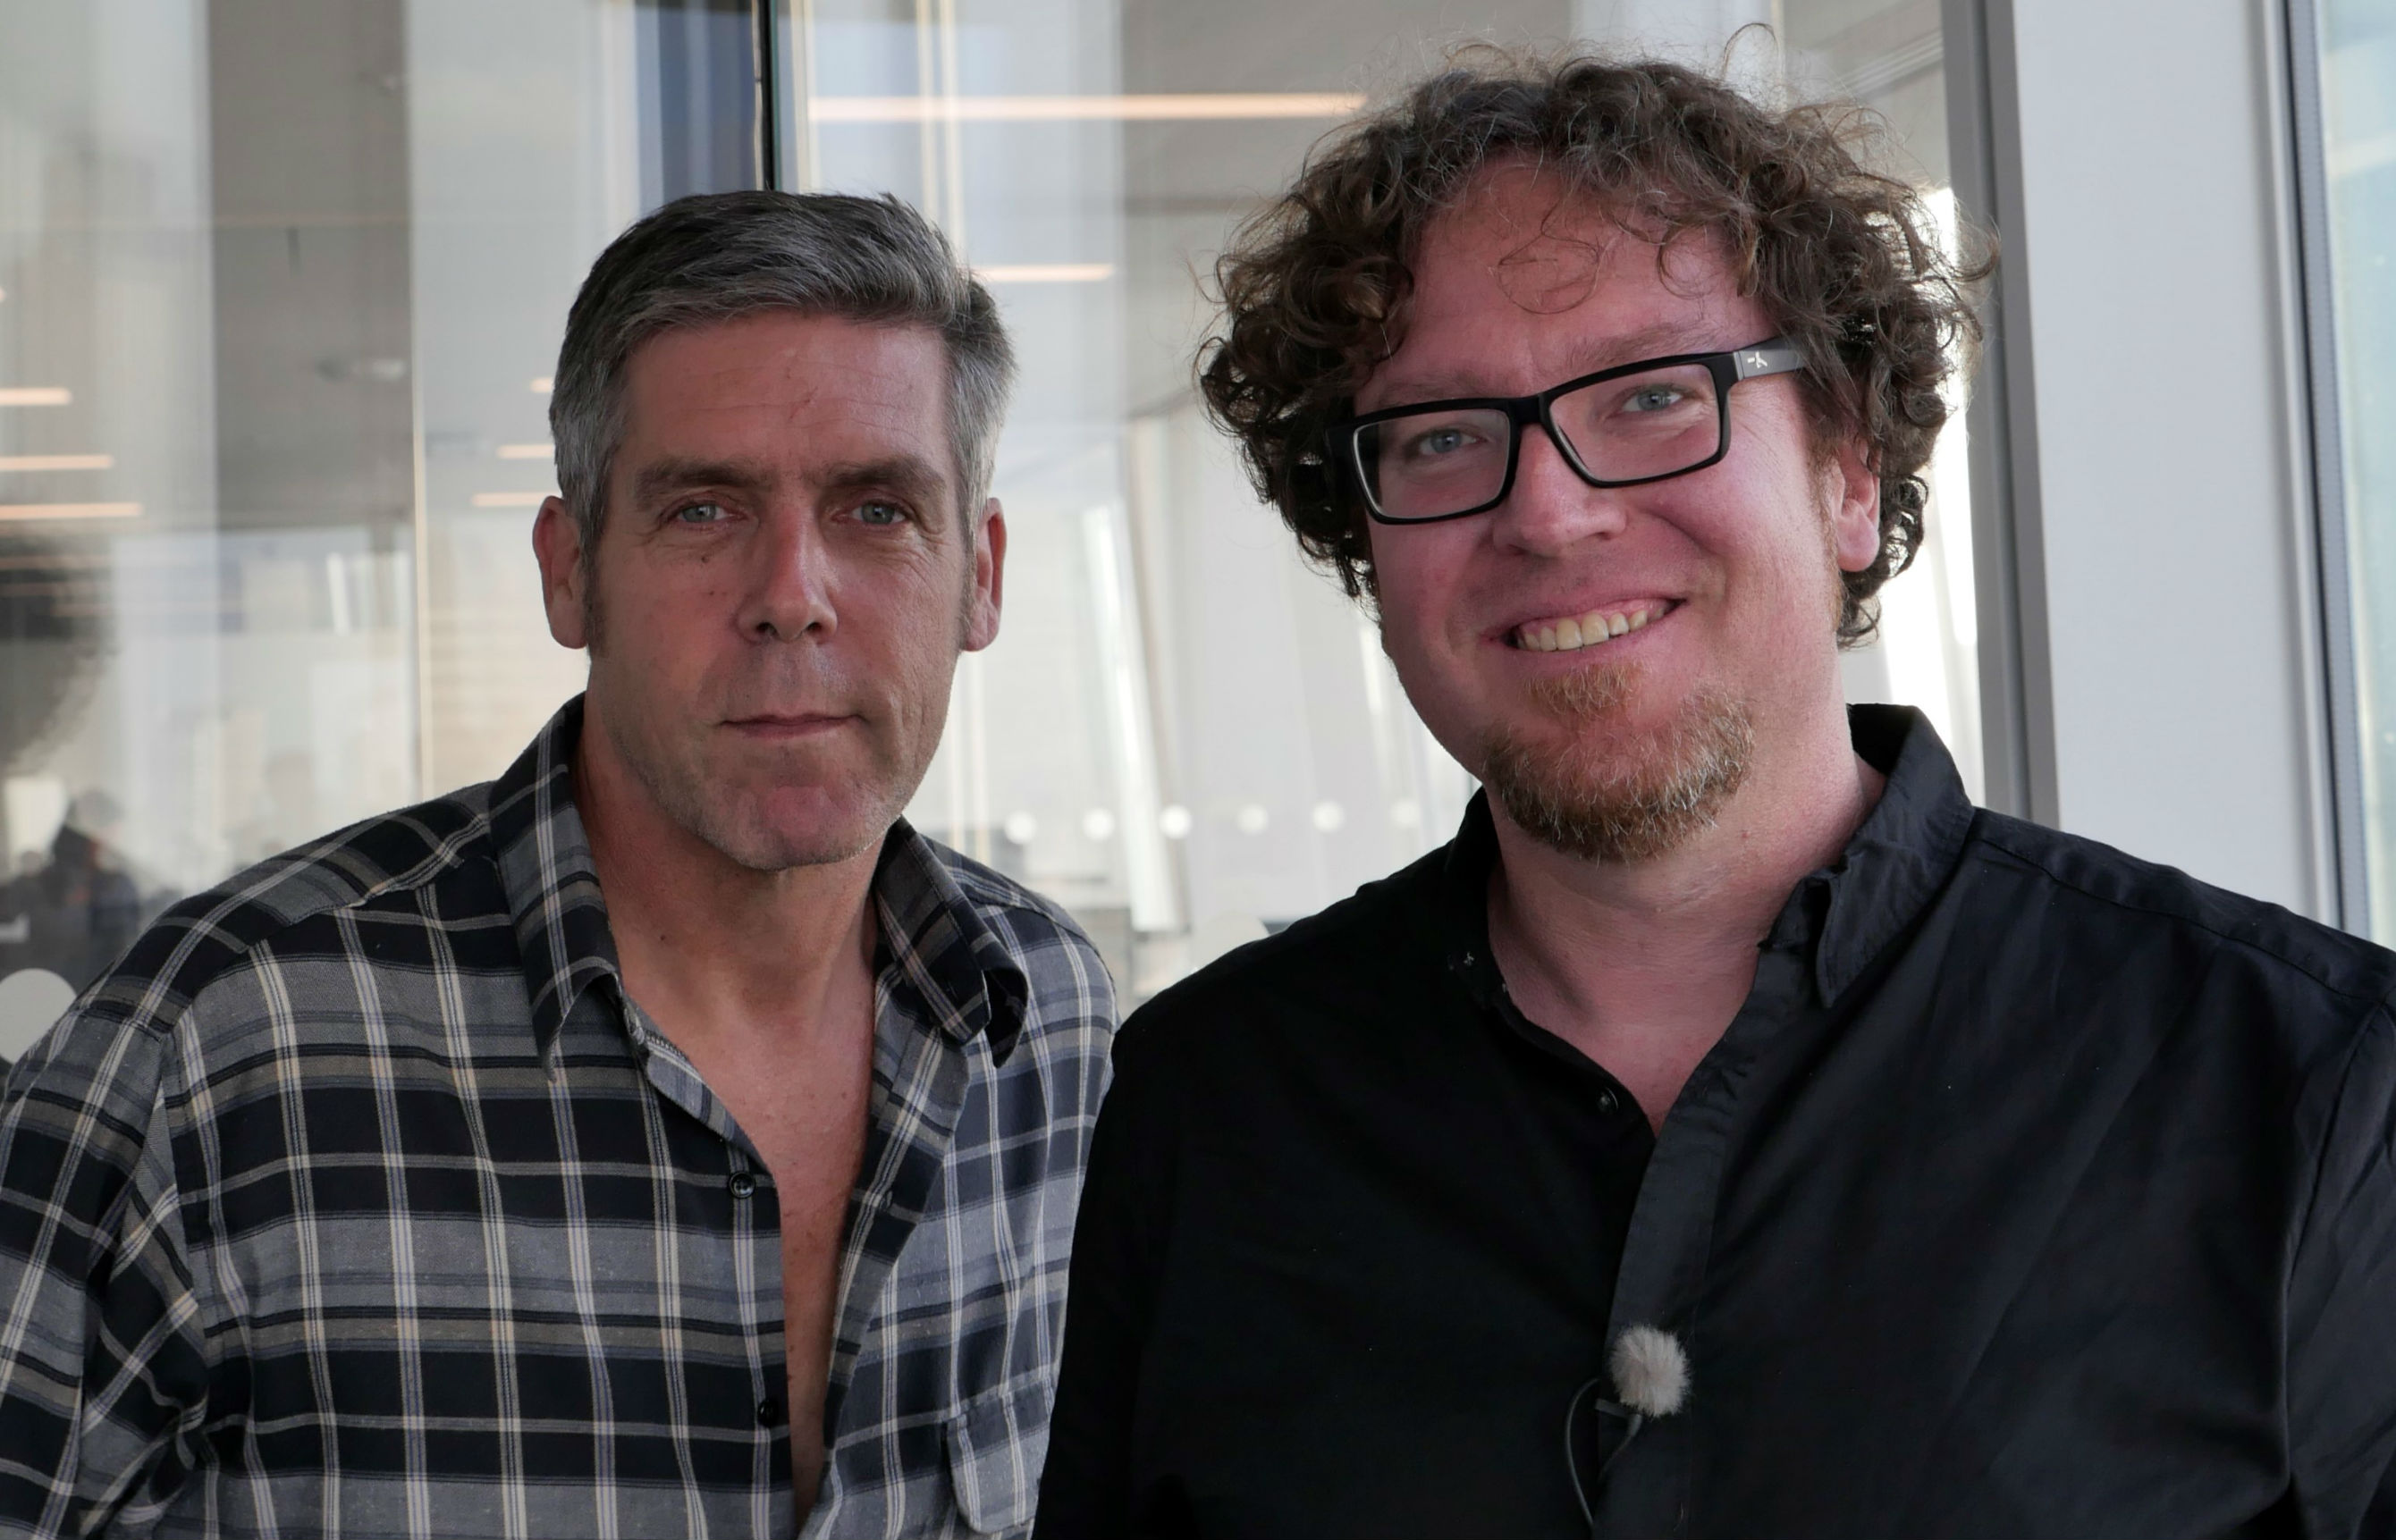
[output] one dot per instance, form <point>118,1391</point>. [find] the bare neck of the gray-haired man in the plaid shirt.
<point>710,947</point>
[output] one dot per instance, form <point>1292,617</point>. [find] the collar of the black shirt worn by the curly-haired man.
<point>1887,875</point>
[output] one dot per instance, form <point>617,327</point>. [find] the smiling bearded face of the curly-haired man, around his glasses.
<point>1611,662</point>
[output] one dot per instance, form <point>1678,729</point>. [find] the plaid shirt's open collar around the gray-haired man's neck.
<point>960,974</point>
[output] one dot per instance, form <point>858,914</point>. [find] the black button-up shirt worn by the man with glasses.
<point>2035,1192</point>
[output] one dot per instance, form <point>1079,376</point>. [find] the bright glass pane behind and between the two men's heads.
<point>1185,734</point>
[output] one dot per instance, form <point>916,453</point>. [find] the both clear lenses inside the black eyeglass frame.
<point>1626,430</point>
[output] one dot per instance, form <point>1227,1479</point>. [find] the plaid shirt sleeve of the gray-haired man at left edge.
<point>102,1366</point>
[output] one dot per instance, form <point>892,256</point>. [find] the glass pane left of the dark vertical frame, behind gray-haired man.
<point>282,284</point>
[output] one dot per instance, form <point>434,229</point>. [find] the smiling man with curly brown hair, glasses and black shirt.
<point>1731,1132</point>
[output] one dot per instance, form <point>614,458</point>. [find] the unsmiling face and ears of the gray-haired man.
<point>782,583</point>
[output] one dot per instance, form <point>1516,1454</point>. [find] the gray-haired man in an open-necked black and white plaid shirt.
<point>662,1139</point>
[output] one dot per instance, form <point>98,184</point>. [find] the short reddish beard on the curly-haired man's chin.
<point>1604,789</point>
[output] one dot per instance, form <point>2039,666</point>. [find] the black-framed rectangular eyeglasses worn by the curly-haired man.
<point>1616,428</point>
